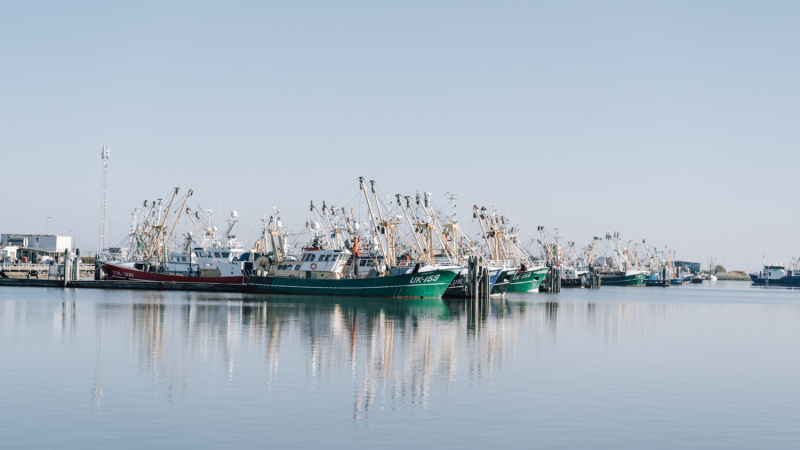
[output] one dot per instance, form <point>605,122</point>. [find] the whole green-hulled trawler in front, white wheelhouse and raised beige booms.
<point>333,265</point>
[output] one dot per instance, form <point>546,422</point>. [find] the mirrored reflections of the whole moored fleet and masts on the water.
<point>394,353</point>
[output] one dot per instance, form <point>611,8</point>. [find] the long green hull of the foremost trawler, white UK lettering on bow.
<point>420,285</point>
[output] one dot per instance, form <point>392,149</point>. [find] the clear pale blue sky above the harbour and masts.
<point>676,122</point>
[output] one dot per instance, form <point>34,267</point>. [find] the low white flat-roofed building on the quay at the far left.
<point>35,248</point>
